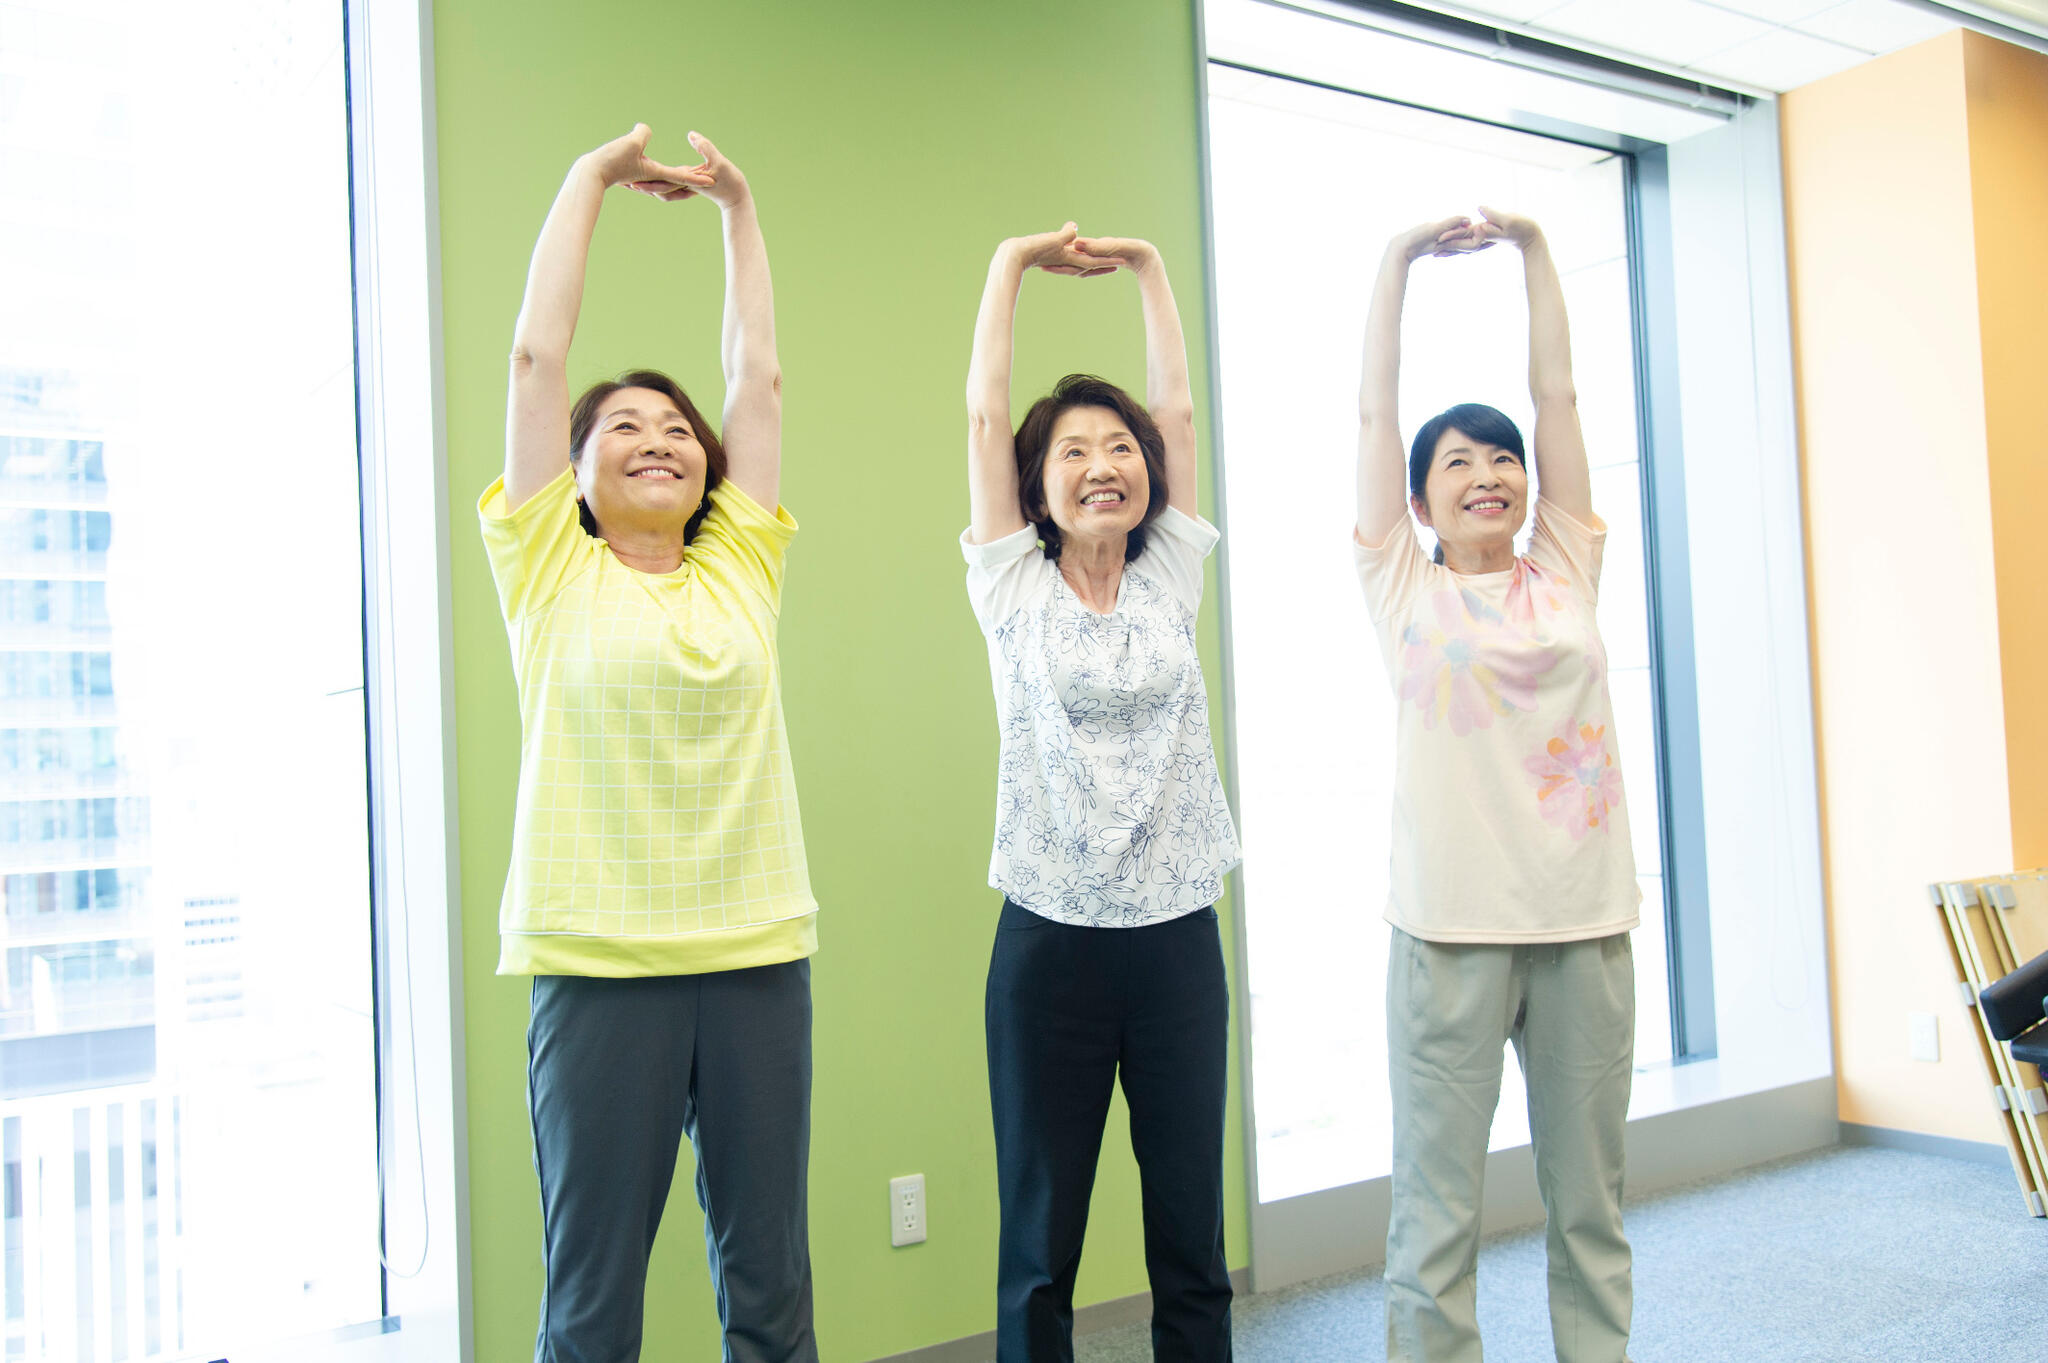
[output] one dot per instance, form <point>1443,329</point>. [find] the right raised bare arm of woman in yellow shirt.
<point>753,427</point>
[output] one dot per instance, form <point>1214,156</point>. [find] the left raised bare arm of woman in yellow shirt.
<point>538,404</point>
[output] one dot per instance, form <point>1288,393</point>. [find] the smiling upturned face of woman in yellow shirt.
<point>642,468</point>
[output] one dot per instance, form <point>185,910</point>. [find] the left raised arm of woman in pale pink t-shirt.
<point>1381,457</point>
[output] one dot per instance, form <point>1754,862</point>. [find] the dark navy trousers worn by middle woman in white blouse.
<point>1070,1012</point>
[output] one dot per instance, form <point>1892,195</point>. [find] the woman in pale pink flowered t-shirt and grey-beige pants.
<point>1512,875</point>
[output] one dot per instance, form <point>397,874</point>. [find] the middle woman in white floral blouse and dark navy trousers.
<point>1084,568</point>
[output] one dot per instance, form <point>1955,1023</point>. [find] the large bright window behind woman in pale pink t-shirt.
<point>1297,247</point>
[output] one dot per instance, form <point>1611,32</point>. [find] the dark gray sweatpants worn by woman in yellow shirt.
<point>617,1073</point>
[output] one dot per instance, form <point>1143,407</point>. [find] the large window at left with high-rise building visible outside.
<point>187,1012</point>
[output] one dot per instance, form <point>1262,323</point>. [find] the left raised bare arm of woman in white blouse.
<point>992,468</point>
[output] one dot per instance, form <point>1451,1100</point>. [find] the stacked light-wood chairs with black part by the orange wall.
<point>1998,940</point>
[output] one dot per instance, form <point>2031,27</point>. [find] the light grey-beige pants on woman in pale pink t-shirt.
<point>1572,1012</point>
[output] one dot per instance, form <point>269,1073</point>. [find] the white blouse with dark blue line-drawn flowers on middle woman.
<point>1109,809</point>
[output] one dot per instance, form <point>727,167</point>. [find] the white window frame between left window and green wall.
<point>411,701</point>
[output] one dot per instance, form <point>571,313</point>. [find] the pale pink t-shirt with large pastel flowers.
<point>1510,822</point>
